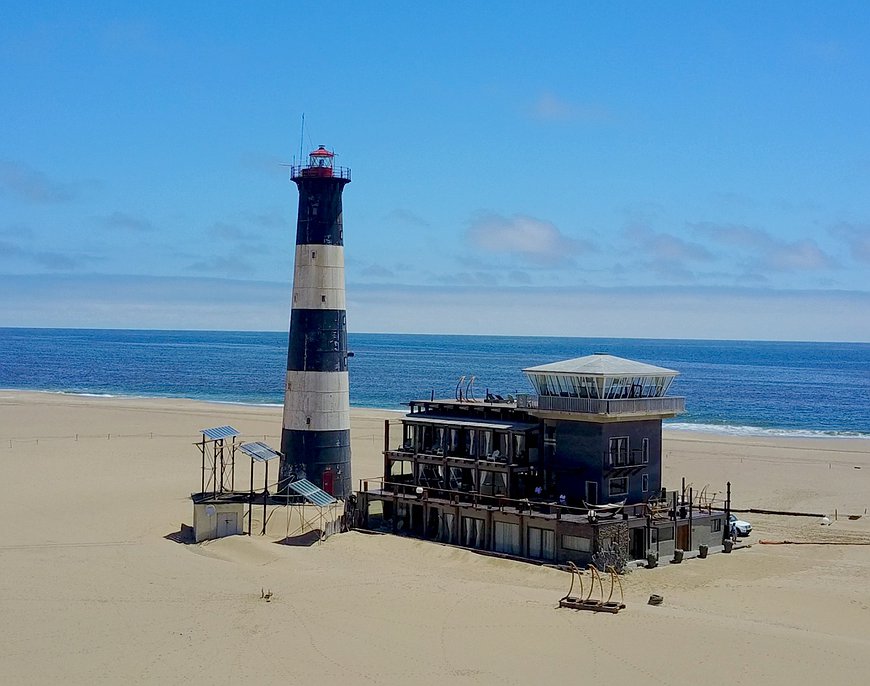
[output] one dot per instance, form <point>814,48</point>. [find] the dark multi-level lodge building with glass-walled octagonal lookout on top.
<point>569,472</point>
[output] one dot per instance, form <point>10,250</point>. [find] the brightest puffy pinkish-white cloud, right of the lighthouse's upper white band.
<point>531,239</point>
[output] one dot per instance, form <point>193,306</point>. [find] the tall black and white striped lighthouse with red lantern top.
<point>315,437</point>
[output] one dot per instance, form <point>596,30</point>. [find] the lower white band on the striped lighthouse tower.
<point>316,401</point>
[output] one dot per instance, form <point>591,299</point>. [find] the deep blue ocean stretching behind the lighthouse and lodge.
<point>737,387</point>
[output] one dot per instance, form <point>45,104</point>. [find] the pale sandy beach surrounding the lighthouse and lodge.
<point>94,588</point>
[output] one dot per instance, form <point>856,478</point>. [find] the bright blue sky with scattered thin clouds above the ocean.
<point>690,170</point>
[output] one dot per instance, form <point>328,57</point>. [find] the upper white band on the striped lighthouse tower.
<point>318,278</point>
